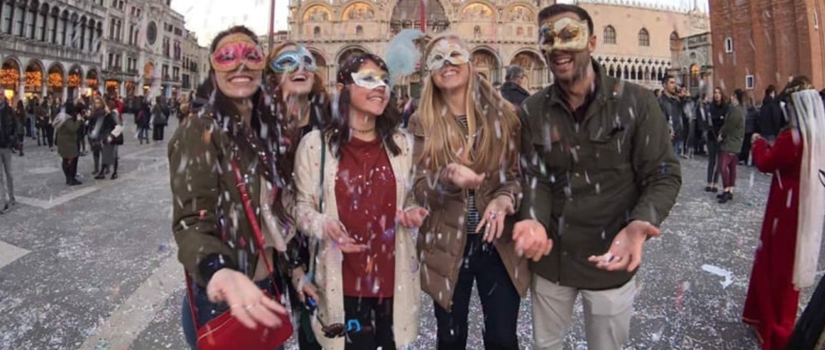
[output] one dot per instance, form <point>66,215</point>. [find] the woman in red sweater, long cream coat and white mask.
<point>367,271</point>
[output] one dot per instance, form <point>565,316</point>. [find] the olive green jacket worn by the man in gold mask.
<point>585,182</point>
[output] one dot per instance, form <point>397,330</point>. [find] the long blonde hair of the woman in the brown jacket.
<point>492,135</point>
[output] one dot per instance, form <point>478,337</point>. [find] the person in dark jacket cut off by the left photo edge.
<point>8,140</point>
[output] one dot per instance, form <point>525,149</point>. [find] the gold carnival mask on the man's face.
<point>566,34</point>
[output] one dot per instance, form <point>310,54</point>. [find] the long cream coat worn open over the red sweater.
<point>328,276</point>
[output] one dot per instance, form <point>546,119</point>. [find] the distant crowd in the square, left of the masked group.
<point>91,123</point>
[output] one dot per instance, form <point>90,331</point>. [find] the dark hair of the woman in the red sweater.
<point>338,129</point>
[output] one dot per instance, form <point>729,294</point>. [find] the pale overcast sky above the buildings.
<point>208,17</point>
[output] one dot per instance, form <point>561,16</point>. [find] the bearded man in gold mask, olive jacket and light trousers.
<point>600,177</point>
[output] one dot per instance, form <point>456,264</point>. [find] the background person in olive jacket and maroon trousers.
<point>730,139</point>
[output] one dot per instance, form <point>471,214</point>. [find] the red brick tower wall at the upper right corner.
<point>758,43</point>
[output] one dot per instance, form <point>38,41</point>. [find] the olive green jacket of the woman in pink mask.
<point>202,181</point>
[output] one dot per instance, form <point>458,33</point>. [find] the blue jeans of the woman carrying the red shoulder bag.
<point>206,310</point>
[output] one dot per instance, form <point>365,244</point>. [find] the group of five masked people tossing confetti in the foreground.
<point>359,215</point>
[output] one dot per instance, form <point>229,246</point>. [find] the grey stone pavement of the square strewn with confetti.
<point>94,266</point>
